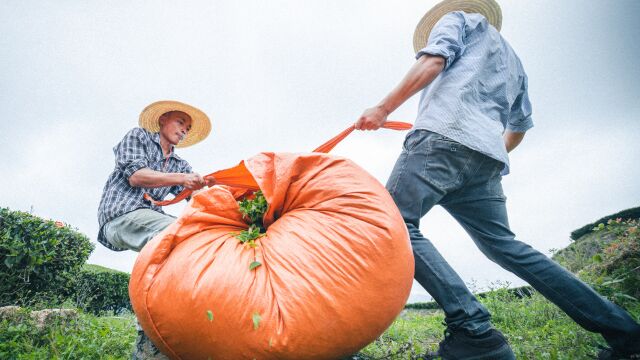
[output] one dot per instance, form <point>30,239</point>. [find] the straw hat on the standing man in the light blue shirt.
<point>487,8</point>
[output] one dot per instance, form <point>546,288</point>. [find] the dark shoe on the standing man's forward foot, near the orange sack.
<point>459,345</point>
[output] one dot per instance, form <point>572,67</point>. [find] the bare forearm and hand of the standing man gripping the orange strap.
<point>421,74</point>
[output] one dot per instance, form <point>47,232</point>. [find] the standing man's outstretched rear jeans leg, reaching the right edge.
<point>480,209</point>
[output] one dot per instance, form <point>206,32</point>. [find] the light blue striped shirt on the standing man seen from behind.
<point>482,90</point>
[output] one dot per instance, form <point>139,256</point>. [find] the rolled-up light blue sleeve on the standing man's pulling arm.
<point>446,38</point>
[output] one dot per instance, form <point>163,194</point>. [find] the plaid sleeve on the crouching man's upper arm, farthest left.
<point>130,153</point>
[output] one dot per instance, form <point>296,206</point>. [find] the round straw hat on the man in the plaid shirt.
<point>200,124</point>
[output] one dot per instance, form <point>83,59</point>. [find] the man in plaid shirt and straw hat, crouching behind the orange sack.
<point>147,163</point>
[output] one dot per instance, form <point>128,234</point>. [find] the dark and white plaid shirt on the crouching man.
<point>138,149</point>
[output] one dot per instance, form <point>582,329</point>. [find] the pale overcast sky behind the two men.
<point>288,75</point>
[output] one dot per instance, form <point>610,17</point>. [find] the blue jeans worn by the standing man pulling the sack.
<point>435,170</point>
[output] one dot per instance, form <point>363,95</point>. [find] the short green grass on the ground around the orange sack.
<point>535,328</point>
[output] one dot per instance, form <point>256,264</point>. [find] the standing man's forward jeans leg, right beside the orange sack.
<point>415,192</point>
